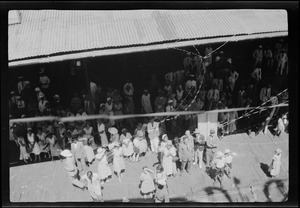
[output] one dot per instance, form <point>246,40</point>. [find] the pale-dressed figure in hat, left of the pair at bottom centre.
<point>147,184</point>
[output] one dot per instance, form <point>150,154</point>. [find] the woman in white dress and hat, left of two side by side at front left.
<point>104,171</point>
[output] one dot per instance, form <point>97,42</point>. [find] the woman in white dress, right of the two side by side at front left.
<point>118,161</point>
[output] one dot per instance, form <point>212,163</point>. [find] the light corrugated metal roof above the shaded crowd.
<point>49,32</point>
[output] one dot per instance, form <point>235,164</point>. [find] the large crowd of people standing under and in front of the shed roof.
<point>203,83</point>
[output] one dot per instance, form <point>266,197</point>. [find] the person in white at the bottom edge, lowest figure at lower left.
<point>93,186</point>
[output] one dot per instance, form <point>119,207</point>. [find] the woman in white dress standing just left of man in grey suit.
<point>168,153</point>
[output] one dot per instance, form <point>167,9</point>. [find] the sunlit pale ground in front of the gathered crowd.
<point>48,181</point>
